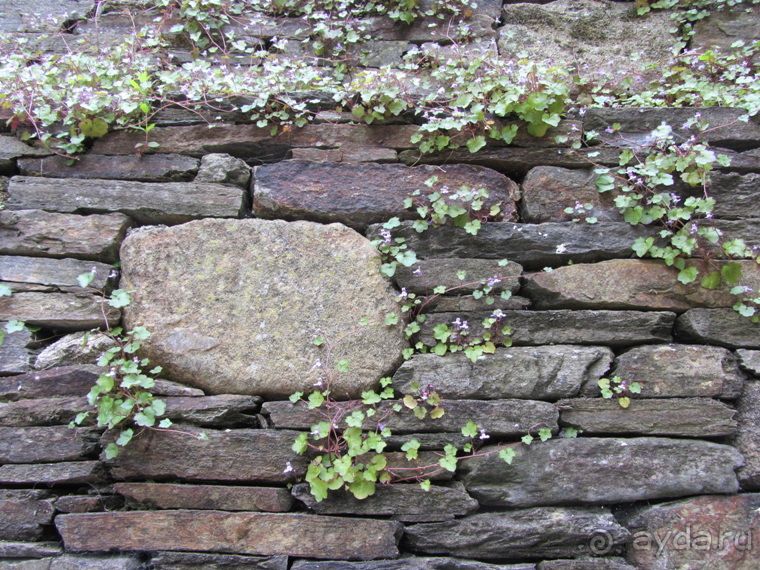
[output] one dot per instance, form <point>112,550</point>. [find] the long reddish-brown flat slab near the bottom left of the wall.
<point>244,533</point>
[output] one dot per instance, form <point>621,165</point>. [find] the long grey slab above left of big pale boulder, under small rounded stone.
<point>158,203</point>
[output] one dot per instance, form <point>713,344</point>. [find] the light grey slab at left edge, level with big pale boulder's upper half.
<point>55,272</point>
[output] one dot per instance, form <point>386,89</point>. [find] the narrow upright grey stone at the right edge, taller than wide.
<point>747,441</point>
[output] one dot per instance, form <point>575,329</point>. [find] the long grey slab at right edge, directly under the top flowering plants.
<point>726,130</point>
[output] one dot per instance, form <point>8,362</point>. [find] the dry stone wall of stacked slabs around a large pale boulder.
<point>241,247</point>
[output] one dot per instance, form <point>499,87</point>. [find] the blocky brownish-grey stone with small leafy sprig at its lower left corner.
<point>678,371</point>
